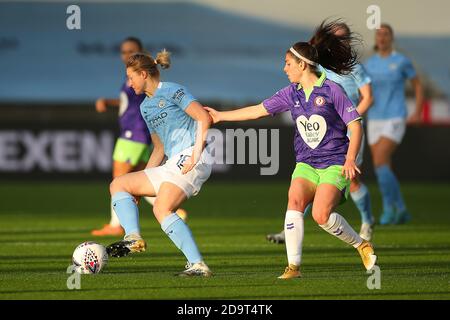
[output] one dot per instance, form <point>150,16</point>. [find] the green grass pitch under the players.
<point>42,223</point>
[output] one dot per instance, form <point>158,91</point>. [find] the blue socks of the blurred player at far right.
<point>390,190</point>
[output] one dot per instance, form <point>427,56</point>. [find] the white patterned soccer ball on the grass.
<point>89,258</point>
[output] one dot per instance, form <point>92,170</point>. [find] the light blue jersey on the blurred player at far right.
<point>388,82</point>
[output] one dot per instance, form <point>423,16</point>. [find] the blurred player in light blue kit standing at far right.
<point>386,124</point>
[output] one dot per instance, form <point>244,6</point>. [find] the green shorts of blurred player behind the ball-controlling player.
<point>131,152</point>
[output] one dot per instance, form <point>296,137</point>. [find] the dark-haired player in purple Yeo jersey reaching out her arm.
<point>325,156</point>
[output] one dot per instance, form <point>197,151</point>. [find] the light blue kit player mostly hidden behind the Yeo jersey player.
<point>357,87</point>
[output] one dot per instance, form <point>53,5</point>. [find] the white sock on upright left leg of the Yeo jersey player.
<point>293,232</point>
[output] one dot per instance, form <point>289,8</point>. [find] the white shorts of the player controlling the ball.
<point>170,171</point>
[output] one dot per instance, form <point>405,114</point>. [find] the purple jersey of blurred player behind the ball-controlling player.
<point>132,125</point>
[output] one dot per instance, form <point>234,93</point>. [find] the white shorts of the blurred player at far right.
<point>393,129</point>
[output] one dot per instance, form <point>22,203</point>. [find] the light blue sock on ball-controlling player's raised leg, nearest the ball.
<point>126,209</point>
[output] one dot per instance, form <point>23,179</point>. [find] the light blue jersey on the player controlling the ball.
<point>165,115</point>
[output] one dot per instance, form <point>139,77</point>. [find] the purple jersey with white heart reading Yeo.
<point>321,121</point>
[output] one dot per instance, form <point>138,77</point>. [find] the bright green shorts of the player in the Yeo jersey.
<point>331,175</point>
